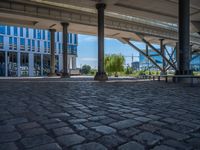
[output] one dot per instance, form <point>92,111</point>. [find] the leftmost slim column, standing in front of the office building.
<point>52,52</point>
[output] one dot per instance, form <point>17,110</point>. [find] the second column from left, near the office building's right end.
<point>65,73</point>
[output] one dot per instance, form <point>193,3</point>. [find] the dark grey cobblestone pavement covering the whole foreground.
<point>79,114</point>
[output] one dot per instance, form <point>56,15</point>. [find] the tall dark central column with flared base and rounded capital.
<point>101,75</point>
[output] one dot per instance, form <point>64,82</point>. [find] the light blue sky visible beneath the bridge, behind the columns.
<point>88,50</point>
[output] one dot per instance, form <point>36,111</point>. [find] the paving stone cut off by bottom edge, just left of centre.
<point>90,146</point>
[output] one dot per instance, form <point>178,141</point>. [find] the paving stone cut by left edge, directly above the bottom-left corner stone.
<point>9,137</point>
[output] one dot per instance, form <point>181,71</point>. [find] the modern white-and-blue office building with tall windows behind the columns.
<point>26,51</point>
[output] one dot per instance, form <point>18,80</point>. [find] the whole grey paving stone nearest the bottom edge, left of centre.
<point>71,139</point>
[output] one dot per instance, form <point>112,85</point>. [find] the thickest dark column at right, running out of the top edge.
<point>184,38</point>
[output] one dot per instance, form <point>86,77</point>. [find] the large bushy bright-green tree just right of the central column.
<point>114,64</point>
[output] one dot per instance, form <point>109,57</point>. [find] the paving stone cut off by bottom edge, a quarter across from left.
<point>51,146</point>
